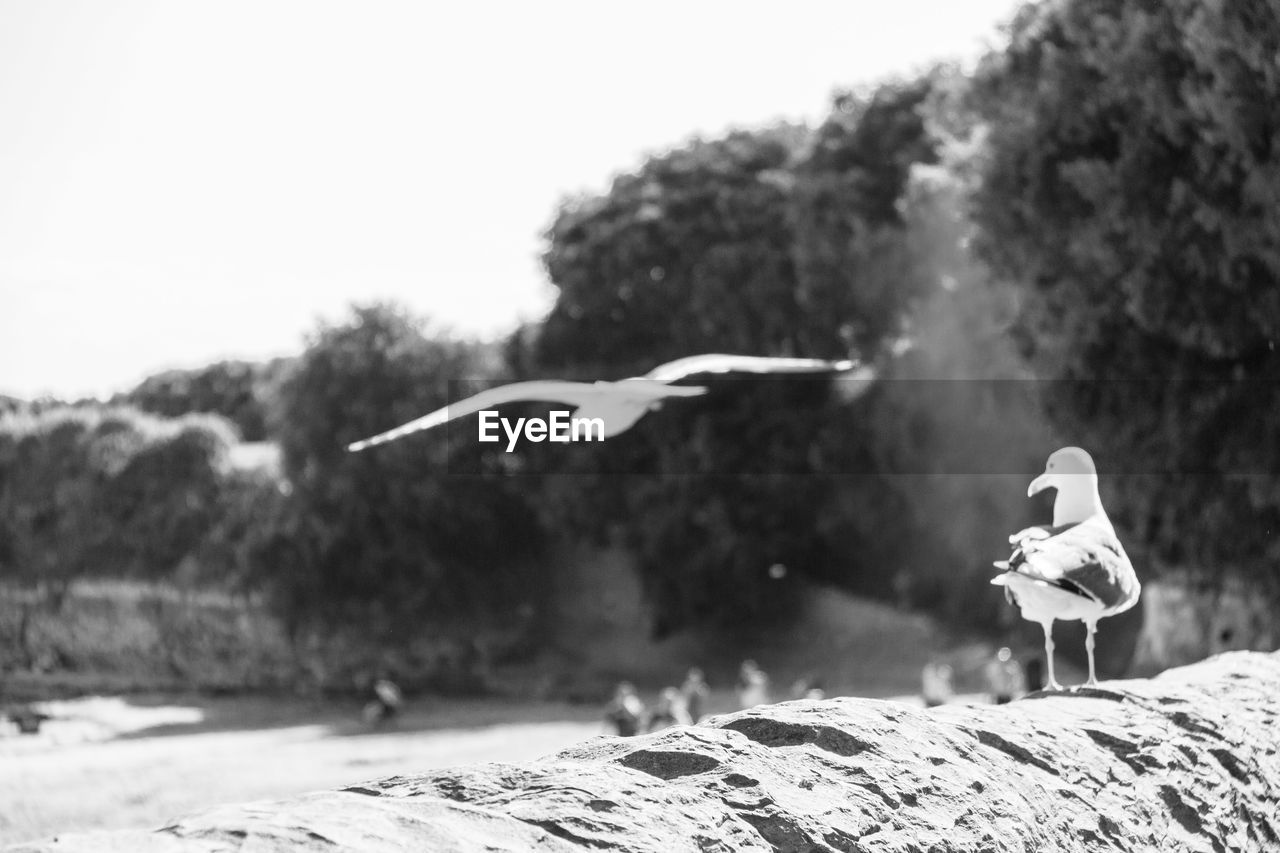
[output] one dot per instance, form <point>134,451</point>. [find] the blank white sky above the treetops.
<point>188,181</point>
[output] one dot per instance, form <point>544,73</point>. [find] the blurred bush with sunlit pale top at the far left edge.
<point>103,492</point>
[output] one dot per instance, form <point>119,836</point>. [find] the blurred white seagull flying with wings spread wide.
<point>619,404</point>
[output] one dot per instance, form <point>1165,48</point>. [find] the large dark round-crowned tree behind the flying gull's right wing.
<point>771,243</point>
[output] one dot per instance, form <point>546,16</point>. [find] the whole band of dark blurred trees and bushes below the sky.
<point>1091,222</point>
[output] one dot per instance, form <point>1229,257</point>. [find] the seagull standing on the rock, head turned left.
<point>1077,568</point>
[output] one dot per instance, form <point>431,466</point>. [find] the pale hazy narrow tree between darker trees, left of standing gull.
<point>956,427</point>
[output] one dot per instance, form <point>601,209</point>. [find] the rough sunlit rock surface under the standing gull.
<point>1187,761</point>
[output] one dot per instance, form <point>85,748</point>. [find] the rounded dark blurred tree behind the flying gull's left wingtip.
<point>390,537</point>
